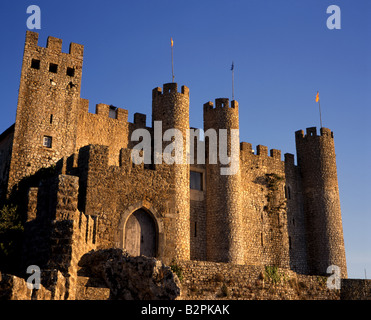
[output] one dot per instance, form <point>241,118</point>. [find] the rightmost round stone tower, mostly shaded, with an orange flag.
<point>317,163</point>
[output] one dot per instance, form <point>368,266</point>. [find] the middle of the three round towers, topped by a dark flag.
<point>223,194</point>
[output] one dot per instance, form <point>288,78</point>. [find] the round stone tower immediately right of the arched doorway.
<point>172,109</point>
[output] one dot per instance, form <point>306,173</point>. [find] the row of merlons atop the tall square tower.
<point>54,45</point>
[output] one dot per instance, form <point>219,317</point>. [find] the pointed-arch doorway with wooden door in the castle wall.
<point>140,234</point>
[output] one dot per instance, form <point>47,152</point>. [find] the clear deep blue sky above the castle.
<point>283,53</point>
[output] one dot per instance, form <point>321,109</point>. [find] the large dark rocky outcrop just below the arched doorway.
<point>128,277</point>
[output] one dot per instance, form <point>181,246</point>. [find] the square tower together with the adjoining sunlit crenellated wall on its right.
<point>49,105</point>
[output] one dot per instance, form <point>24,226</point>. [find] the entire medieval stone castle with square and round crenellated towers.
<point>71,165</point>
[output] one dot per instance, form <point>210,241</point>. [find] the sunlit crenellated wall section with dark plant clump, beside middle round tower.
<point>264,207</point>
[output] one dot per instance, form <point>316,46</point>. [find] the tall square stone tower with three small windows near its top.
<point>49,94</point>
